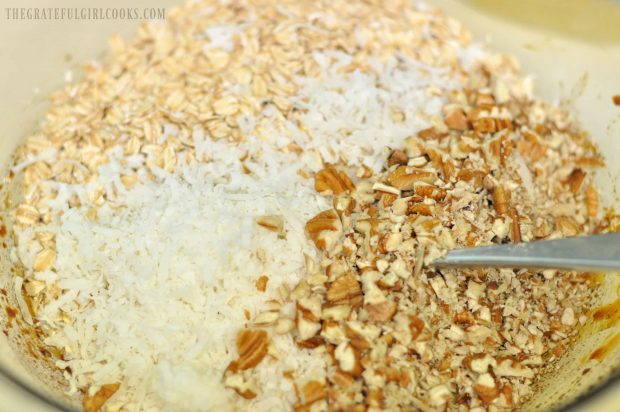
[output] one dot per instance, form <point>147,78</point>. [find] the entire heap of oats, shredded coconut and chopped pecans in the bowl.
<point>239,208</point>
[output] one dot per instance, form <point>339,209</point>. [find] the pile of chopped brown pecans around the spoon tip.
<point>401,334</point>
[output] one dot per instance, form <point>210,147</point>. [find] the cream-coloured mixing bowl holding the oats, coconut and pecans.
<point>35,56</point>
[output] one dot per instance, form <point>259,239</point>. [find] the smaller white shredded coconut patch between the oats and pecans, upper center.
<point>358,107</point>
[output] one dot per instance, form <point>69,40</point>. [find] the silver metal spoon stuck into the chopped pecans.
<point>583,253</point>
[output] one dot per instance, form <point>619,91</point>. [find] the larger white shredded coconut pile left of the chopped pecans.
<point>183,253</point>
